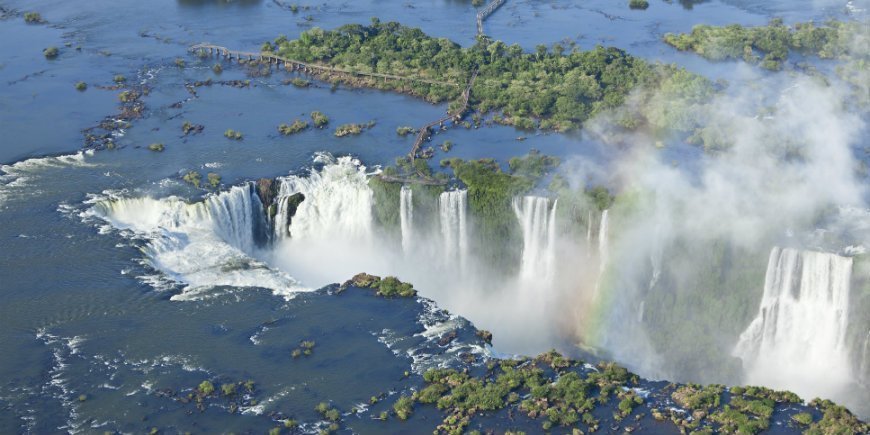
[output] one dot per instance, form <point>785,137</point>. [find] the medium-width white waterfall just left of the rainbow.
<point>538,223</point>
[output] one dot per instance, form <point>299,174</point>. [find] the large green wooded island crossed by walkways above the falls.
<point>553,88</point>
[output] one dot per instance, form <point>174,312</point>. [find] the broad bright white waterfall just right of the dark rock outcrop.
<point>338,202</point>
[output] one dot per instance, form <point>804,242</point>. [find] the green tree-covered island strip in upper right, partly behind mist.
<point>773,41</point>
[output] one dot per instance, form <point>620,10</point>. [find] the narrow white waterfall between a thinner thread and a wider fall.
<point>454,229</point>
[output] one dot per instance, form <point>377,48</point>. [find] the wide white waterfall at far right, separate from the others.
<point>800,330</point>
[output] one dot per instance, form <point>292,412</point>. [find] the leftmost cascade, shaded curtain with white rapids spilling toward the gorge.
<point>203,244</point>
